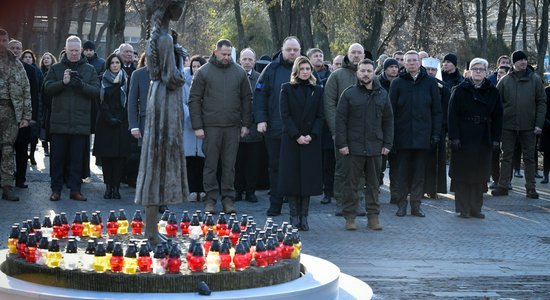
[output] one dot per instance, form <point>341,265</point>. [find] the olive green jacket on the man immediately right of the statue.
<point>220,96</point>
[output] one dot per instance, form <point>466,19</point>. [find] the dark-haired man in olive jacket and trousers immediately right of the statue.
<point>220,103</point>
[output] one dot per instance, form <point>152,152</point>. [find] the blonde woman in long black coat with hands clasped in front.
<point>300,164</point>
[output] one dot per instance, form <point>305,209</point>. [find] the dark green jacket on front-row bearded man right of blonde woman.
<point>364,120</point>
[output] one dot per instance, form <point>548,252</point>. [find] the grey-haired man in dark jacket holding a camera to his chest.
<point>72,84</point>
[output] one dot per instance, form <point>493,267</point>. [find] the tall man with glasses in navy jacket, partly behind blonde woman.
<point>267,114</point>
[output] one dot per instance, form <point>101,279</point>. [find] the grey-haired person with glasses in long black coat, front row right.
<point>475,128</point>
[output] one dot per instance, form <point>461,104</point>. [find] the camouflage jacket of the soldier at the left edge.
<point>14,82</point>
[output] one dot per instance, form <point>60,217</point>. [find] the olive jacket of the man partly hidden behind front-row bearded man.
<point>338,81</point>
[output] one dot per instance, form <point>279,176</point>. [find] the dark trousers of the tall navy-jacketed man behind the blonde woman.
<point>273,152</point>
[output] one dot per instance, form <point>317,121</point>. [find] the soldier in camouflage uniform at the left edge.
<point>15,111</point>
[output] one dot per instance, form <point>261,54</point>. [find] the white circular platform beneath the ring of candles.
<point>322,280</point>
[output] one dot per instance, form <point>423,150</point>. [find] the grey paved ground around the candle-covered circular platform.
<point>507,255</point>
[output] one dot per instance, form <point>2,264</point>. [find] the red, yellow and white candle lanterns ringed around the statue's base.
<point>222,248</point>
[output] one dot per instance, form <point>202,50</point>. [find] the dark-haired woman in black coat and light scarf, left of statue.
<point>112,141</point>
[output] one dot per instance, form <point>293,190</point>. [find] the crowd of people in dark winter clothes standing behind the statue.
<point>312,127</point>
